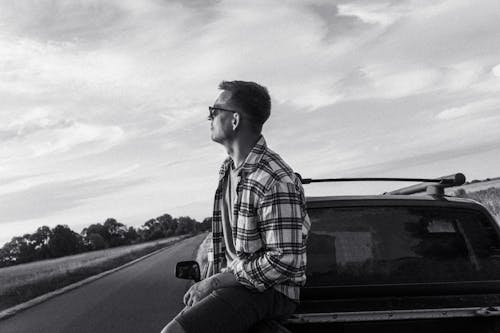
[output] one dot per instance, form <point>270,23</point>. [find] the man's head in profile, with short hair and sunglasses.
<point>241,106</point>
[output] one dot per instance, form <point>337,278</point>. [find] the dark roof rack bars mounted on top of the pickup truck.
<point>437,188</point>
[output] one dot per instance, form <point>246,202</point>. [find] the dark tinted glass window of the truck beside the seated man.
<point>380,245</point>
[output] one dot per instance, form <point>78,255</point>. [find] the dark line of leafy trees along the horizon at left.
<point>46,243</point>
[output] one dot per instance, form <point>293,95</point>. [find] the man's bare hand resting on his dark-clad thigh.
<point>202,289</point>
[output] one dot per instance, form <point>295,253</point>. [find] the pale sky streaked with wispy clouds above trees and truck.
<point>103,104</point>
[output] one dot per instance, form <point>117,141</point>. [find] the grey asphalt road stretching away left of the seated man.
<point>140,298</point>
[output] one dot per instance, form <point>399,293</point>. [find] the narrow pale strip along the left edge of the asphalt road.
<point>4,314</point>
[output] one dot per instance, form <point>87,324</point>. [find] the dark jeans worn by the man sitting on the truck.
<point>237,309</point>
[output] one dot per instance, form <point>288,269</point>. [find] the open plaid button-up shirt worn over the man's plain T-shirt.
<point>269,225</point>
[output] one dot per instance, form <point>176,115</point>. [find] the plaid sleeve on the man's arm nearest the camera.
<point>281,214</point>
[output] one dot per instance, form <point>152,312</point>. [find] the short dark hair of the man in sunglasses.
<point>252,98</point>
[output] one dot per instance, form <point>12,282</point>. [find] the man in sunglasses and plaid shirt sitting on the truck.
<point>259,228</point>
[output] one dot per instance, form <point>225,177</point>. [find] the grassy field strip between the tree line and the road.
<point>23,282</point>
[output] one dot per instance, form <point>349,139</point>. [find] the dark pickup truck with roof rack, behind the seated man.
<point>398,262</point>
